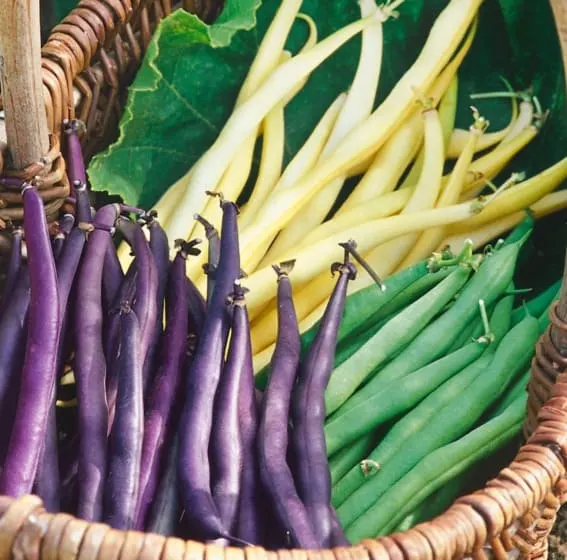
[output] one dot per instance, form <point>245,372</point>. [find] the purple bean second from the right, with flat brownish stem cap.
<point>275,474</point>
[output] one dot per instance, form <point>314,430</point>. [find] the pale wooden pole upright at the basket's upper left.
<point>22,90</point>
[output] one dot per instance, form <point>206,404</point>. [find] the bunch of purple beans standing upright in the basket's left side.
<point>166,431</point>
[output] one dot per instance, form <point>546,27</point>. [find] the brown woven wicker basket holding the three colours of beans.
<point>97,49</point>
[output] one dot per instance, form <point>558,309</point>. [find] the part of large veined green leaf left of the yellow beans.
<point>176,105</point>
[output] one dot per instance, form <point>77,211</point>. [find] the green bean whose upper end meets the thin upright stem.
<point>396,398</point>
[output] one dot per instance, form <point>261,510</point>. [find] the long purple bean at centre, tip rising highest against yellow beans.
<point>202,379</point>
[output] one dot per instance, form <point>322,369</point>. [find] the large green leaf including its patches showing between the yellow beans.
<point>192,73</point>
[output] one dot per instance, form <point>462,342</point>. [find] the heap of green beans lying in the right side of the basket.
<point>423,391</point>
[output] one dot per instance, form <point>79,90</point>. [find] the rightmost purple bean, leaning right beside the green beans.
<point>308,410</point>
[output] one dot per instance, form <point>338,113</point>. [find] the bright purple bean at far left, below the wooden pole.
<point>38,373</point>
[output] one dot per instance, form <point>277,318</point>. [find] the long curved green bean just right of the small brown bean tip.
<point>452,420</point>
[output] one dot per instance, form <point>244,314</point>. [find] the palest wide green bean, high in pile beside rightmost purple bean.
<point>390,339</point>
